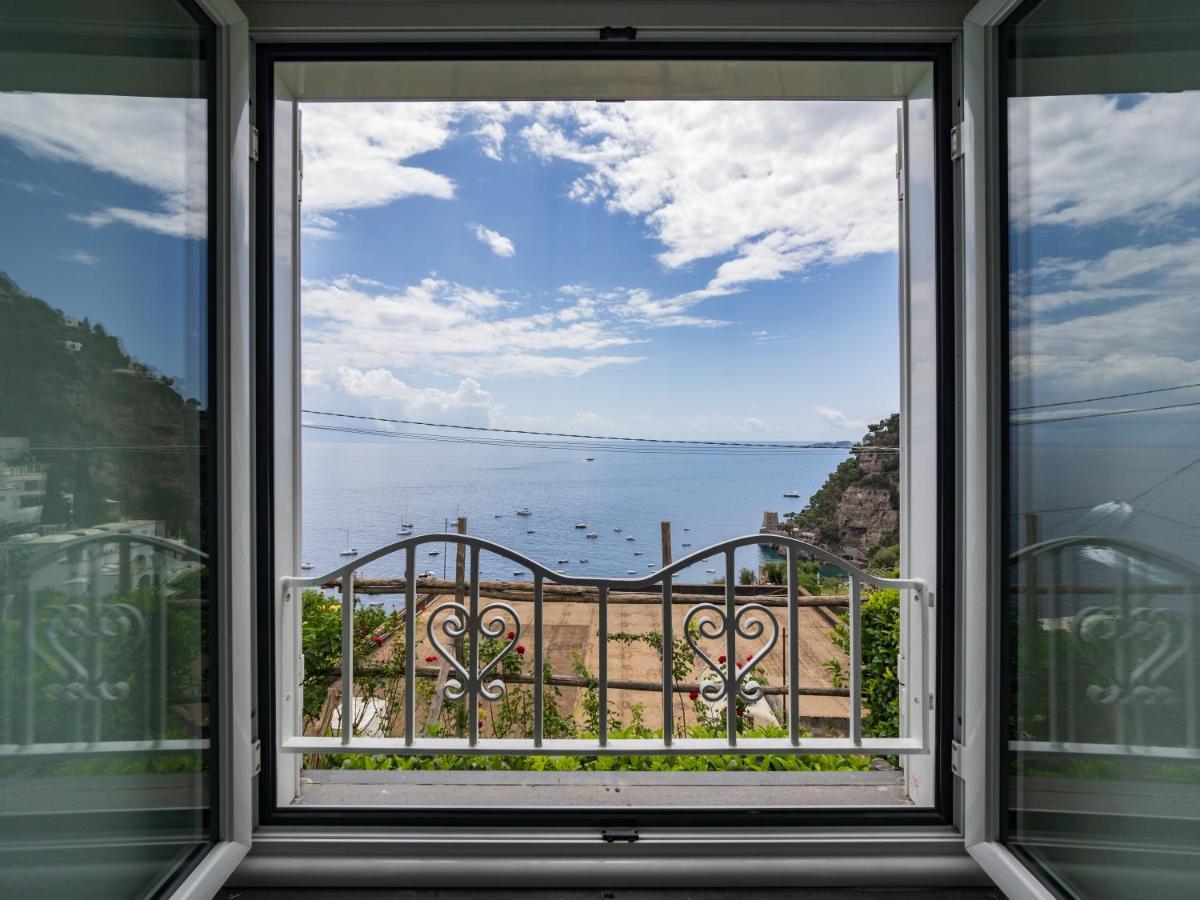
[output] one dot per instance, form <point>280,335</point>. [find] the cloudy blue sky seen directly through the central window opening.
<point>671,269</point>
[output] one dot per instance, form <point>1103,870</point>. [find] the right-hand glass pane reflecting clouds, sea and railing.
<point>1103,142</point>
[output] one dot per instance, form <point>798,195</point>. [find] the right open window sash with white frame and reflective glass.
<point>1081,746</point>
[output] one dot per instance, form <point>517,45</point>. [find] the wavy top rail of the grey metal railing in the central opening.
<point>635,584</point>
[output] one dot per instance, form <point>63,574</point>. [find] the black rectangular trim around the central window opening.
<point>941,814</point>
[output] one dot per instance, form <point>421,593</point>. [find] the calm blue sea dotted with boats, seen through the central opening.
<point>358,494</point>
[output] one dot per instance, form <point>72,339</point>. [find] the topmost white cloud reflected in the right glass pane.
<point>1088,160</point>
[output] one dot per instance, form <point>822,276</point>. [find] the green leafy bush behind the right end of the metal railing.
<point>881,644</point>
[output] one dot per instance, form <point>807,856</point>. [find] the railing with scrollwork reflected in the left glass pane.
<point>87,663</point>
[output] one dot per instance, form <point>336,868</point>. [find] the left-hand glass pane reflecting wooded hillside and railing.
<point>105,470</point>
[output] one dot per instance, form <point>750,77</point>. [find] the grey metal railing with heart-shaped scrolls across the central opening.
<point>476,680</point>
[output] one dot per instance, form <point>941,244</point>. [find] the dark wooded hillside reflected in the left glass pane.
<point>106,427</point>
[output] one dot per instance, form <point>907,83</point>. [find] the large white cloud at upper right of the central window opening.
<point>777,185</point>
